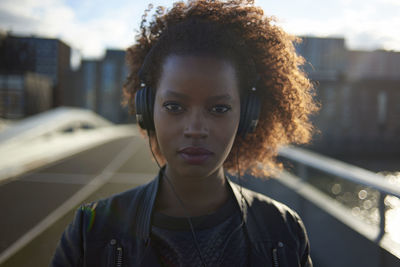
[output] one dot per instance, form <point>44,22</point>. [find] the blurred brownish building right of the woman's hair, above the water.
<point>359,93</point>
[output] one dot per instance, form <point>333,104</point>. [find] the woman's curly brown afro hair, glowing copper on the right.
<point>238,31</point>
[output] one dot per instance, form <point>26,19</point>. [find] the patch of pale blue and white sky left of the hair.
<point>88,26</point>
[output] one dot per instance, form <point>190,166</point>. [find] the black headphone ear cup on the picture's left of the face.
<point>144,103</point>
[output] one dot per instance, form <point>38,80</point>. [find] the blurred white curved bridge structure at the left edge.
<point>52,135</point>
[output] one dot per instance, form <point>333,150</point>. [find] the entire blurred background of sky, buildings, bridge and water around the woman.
<point>65,138</point>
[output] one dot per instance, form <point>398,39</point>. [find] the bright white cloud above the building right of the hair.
<point>364,24</point>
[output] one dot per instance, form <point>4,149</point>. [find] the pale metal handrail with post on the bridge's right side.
<point>304,158</point>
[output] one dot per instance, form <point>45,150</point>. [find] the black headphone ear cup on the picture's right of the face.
<point>250,108</point>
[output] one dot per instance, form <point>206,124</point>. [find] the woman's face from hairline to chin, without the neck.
<point>196,113</point>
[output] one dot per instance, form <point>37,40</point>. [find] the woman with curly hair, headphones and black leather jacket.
<point>217,88</point>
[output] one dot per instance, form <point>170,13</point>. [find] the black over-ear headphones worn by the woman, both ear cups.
<point>250,107</point>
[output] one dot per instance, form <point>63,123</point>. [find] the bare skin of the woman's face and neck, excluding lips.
<point>197,104</point>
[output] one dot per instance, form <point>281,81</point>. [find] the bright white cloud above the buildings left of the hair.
<point>53,18</point>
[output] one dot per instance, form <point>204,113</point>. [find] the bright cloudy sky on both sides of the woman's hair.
<point>90,27</point>
